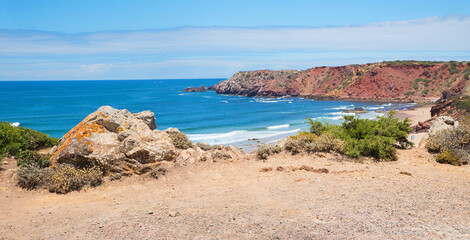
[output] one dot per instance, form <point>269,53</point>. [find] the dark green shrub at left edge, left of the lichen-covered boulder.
<point>14,140</point>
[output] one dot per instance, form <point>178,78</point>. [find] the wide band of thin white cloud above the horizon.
<point>221,51</point>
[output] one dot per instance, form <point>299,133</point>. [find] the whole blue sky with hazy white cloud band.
<point>142,39</point>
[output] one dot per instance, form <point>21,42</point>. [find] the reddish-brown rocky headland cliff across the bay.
<point>407,81</point>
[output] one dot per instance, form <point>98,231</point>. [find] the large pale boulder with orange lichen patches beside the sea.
<point>116,140</point>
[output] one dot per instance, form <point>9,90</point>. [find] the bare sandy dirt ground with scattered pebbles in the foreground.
<point>412,198</point>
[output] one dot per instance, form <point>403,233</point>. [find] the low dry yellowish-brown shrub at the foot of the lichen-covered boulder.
<point>67,178</point>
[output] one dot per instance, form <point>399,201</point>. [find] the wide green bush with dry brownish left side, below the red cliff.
<point>355,137</point>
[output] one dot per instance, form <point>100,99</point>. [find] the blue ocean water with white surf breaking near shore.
<point>54,107</point>
